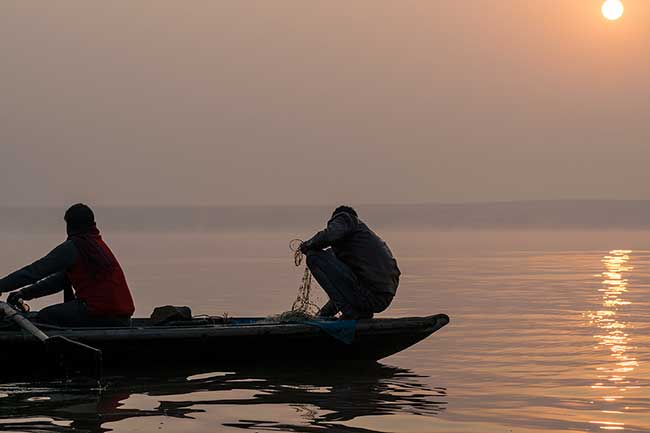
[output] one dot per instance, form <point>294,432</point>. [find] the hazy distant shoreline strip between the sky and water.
<point>542,214</point>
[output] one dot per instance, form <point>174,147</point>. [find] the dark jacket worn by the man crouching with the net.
<point>365,253</point>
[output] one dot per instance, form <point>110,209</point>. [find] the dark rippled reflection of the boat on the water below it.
<point>321,401</point>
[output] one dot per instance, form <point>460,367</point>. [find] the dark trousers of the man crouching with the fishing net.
<point>342,286</point>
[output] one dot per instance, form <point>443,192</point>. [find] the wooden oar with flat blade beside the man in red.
<point>69,352</point>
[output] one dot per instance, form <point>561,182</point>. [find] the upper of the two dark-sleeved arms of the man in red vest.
<point>58,260</point>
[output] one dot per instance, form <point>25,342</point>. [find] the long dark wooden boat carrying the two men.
<point>215,340</point>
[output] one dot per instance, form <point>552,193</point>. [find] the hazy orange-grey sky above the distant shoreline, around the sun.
<point>317,102</point>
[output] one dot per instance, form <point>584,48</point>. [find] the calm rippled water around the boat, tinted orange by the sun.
<point>549,333</point>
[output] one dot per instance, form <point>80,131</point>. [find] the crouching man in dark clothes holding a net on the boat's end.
<point>358,272</point>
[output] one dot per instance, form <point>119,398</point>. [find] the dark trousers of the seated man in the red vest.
<point>75,313</point>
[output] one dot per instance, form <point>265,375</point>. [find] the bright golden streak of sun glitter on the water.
<point>613,337</point>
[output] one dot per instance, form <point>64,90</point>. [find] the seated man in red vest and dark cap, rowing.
<point>84,268</point>
